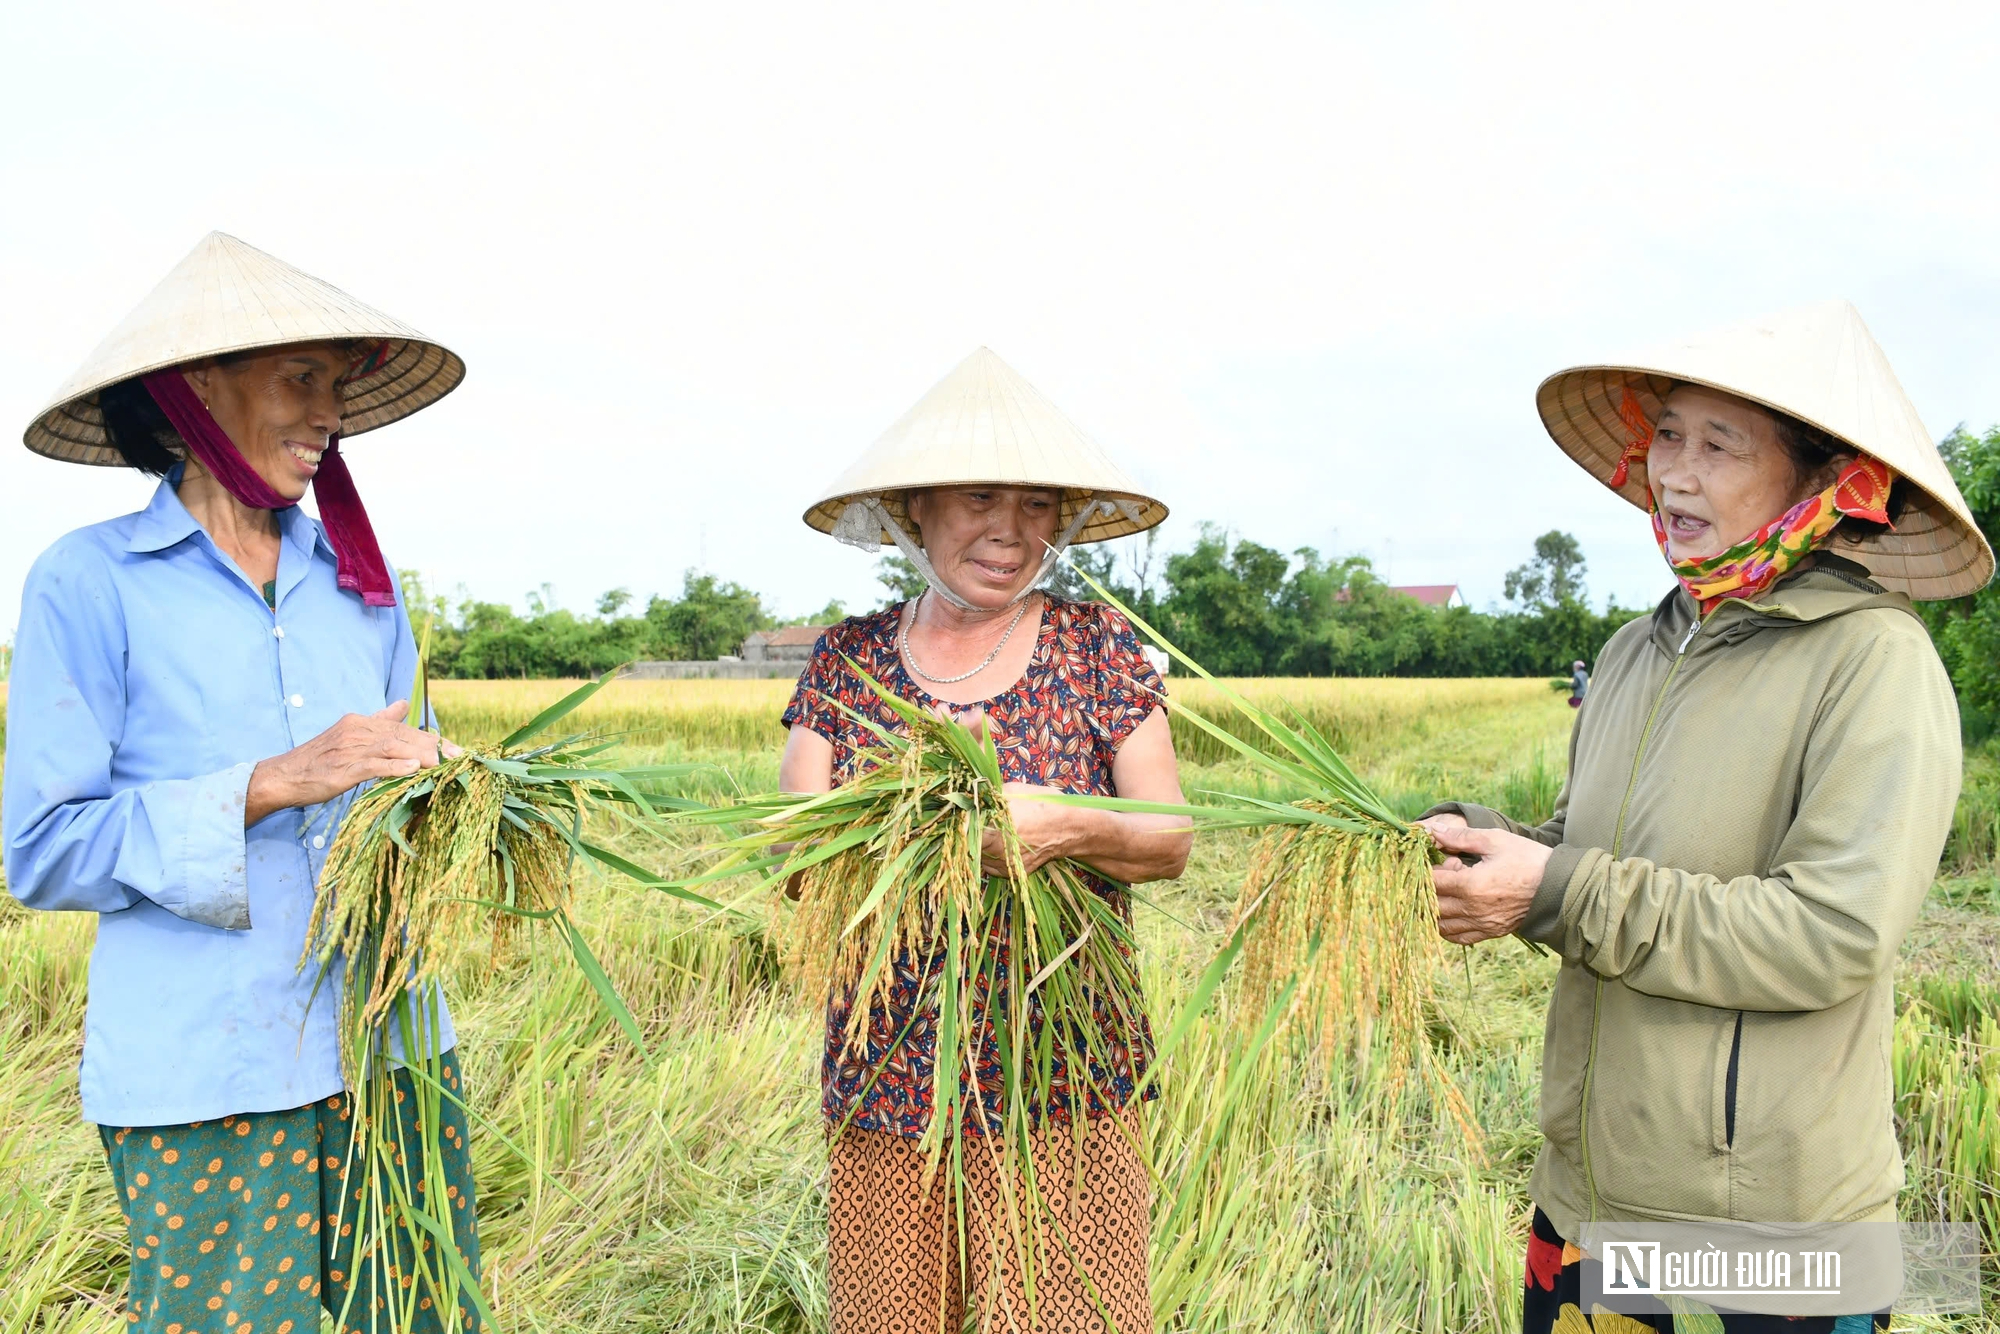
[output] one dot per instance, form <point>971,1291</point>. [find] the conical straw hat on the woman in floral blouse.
<point>985,425</point>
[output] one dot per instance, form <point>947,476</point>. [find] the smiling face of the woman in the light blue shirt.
<point>279,409</point>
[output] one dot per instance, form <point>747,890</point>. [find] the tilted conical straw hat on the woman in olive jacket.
<point>1823,367</point>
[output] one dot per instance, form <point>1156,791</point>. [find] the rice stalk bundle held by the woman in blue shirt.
<point>481,845</point>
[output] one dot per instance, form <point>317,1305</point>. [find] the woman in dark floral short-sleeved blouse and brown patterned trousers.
<point>1075,707</point>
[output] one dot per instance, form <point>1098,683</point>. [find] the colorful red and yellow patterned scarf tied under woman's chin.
<point>1773,551</point>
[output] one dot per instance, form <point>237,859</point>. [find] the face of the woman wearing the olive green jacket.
<point>1717,471</point>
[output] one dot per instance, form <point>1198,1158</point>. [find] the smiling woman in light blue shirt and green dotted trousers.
<point>197,693</point>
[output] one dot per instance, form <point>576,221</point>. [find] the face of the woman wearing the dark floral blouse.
<point>987,541</point>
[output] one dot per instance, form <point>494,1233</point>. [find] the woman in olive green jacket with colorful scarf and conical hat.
<point>1755,809</point>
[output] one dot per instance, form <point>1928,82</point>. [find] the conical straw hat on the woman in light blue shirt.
<point>229,297</point>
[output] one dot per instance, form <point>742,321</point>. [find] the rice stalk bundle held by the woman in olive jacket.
<point>1337,917</point>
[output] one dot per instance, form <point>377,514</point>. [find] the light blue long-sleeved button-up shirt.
<point>149,679</point>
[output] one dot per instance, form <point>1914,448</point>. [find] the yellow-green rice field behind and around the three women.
<point>683,1187</point>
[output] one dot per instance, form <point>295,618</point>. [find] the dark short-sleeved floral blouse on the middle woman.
<point>1087,689</point>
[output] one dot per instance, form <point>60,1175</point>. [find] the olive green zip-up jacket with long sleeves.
<point>1755,809</point>
